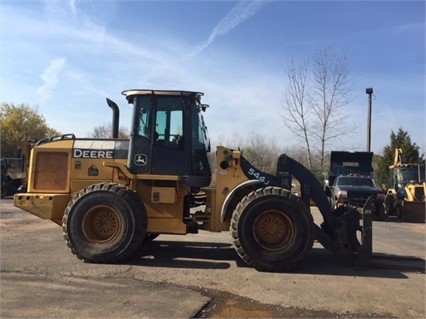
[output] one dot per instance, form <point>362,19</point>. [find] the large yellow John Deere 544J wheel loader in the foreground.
<point>111,196</point>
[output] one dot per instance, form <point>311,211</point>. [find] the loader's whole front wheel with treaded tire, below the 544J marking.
<point>272,230</point>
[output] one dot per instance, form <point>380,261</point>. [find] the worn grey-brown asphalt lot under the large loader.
<point>176,275</point>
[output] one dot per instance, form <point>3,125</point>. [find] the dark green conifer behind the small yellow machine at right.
<point>410,154</point>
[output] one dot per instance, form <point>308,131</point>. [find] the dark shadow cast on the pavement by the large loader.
<point>319,261</point>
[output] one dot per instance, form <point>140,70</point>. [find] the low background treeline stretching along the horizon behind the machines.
<point>19,122</point>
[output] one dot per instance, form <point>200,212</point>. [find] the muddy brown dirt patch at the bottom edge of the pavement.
<point>226,305</point>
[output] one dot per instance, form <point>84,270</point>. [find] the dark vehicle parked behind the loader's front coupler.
<point>355,190</point>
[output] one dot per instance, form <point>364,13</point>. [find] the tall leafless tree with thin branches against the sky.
<point>315,100</point>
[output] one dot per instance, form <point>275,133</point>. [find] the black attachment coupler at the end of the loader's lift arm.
<point>355,251</point>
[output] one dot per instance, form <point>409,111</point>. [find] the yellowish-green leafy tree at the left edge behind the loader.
<point>18,123</point>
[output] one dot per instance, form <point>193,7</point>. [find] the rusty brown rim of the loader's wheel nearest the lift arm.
<point>273,230</point>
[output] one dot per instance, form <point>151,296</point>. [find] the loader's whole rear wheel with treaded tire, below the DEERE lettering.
<point>105,223</point>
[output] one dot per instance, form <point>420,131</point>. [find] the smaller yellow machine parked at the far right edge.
<point>406,198</point>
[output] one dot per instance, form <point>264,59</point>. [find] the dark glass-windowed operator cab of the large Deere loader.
<point>168,135</point>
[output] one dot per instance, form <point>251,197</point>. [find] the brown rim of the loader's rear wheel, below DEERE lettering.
<point>101,224</point>
